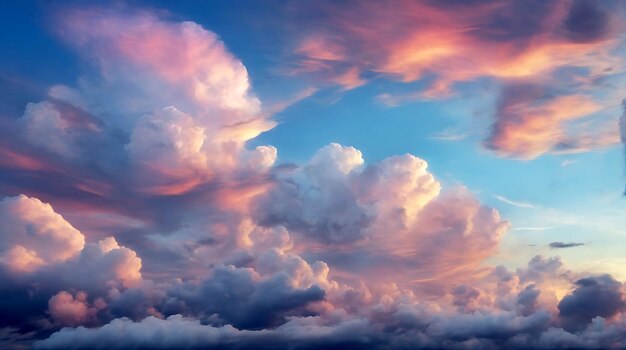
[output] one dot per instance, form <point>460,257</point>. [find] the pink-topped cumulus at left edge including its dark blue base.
<point>44,256</point>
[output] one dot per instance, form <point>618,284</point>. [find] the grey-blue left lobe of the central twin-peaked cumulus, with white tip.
<point>323,206</point>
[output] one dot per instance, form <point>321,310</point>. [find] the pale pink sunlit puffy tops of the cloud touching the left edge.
<point>41,241</point>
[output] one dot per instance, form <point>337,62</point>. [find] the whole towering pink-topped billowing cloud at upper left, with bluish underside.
<point>165,106</point>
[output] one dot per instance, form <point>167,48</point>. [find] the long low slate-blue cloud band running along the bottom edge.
<point>176,332</point>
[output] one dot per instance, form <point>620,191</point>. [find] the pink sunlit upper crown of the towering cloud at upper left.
<point>205,77</point>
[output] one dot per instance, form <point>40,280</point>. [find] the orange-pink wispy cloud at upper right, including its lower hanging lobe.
<point>571,53</point>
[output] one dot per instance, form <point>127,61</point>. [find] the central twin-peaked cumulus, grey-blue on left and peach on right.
<point>334,198</point>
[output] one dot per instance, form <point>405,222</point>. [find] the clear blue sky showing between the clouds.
<point>582,200</point>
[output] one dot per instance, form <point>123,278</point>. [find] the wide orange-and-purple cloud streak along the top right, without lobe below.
<point>461,42</point>
